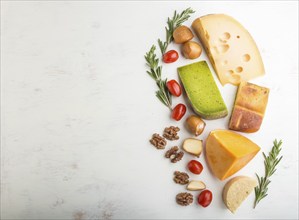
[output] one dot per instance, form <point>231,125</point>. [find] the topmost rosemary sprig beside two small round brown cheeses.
<point>172,24</point>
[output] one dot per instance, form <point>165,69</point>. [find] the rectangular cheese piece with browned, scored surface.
<point>249,109</point>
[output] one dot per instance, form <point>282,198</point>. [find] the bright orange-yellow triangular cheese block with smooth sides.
<point>227,152</point>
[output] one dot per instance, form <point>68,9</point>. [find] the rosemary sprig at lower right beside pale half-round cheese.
<point>270,163</point>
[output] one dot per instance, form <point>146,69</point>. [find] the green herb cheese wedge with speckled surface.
<point>202,90</point>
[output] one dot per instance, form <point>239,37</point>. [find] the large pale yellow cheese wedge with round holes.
<point>231,49</point>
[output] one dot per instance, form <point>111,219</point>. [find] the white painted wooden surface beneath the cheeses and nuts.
<point>77,111</point>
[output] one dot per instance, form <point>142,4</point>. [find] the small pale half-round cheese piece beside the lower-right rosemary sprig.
<point>236,191</point>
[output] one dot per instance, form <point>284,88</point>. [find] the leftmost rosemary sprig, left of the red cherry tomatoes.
<point>155,72</point>
